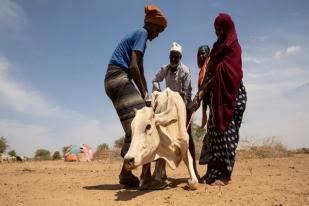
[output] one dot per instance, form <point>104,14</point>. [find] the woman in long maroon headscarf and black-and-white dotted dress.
<point>222,87</point>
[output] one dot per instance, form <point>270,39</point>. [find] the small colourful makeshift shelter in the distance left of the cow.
<point>81,153</point>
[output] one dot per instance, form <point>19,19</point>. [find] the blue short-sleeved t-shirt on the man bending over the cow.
<point>134,41</point>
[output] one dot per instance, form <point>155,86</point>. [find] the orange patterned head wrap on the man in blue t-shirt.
<point>154,15</point>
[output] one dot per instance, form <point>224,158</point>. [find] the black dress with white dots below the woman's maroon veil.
<point>219,148</point>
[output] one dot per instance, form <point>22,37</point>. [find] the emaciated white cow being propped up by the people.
<point>160,132</point>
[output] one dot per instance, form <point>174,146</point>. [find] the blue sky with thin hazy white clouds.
<point>54,54</point>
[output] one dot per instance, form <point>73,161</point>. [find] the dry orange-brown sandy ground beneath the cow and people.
<point>273,181</point>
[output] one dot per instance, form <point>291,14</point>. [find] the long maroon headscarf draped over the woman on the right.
<point>225,60</point>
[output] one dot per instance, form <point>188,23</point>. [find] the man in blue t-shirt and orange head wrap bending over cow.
<point>125,65</point>
